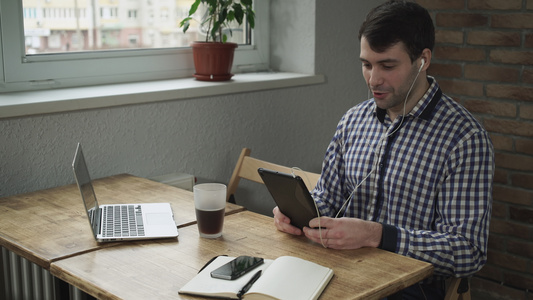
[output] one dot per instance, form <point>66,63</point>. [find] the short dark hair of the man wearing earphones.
<point>399,21</point>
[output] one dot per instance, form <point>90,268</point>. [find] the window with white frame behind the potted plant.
<point>63,43</point>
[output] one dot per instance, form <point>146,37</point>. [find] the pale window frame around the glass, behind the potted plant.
<point>21,72</point>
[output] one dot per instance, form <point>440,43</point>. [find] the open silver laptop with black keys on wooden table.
<point>117,222</point>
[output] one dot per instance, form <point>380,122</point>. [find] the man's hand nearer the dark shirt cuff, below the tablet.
<point>344,233</point>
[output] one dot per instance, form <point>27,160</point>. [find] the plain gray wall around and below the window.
<point>204,136</point>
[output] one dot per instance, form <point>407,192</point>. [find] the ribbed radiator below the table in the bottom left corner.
<point>20,279</point>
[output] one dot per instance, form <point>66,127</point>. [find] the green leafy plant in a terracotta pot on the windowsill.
<point>213,58</point>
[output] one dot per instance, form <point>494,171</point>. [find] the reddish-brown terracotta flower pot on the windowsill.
<point>213,61</point>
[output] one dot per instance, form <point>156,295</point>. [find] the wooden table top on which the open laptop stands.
<point>49,225</point>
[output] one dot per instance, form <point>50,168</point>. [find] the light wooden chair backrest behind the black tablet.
<point>247,166</point>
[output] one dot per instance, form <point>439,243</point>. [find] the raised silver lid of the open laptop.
<point>81,173</point>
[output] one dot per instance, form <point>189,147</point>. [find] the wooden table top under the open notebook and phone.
<point>158,269</point>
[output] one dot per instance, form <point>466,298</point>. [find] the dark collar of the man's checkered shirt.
<point>425,106</point>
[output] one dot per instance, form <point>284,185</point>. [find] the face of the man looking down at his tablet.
<point>389,75</point>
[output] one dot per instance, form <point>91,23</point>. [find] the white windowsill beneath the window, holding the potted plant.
<point>68,99</point>
